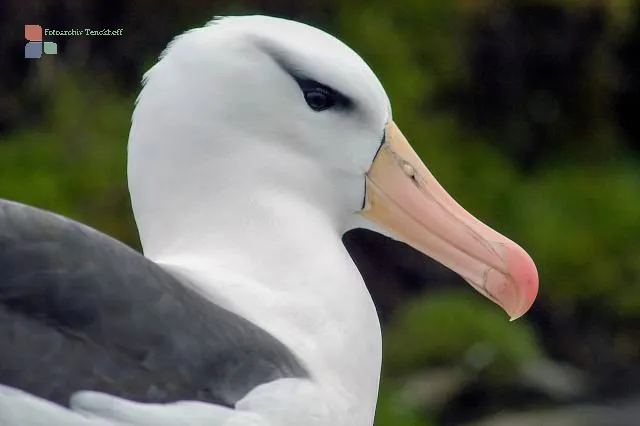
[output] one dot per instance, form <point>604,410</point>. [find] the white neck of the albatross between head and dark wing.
<point>272,255</point>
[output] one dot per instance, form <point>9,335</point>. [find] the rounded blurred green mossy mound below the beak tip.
<point>452,328</point>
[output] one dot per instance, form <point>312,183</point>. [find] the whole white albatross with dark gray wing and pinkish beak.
<point>255,144</point>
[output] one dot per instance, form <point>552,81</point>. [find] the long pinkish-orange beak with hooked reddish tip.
<point>404,197</point>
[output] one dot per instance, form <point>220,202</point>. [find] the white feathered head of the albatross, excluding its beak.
<point>237,92</point>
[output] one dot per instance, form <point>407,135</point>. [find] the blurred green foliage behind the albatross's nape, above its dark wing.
<point>75,163</point>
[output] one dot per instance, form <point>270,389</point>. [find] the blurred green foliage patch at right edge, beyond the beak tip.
<point>581,224</point>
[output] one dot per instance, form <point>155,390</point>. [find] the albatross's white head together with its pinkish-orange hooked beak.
<point>251,105</point>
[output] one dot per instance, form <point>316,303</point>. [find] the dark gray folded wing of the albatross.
<point>82,311</point>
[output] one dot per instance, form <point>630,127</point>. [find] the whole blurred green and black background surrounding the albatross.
<point>528,112</point>
